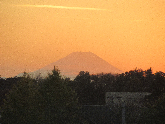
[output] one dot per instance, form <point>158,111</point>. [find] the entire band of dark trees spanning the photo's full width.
<point>57,100</point>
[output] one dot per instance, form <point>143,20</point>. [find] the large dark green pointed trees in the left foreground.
<point>50,101</point>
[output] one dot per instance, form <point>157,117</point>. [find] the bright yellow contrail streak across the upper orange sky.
<point>62,7</point>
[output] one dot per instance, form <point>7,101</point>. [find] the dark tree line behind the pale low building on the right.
<point>91,89</point>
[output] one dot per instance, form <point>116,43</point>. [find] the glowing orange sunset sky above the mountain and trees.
<point>125,33</point>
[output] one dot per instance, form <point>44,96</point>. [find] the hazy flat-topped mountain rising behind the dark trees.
<point>75,62</point>
